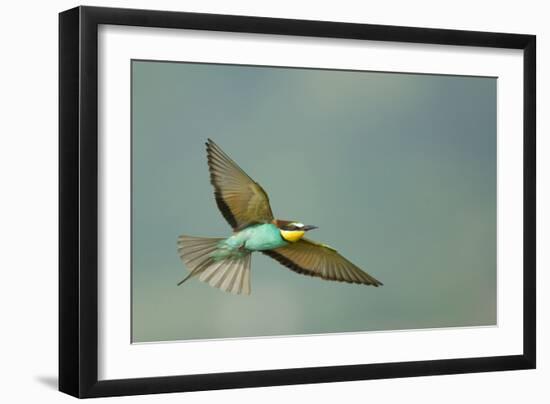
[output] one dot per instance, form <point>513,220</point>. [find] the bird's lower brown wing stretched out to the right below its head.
<point>310,258</point>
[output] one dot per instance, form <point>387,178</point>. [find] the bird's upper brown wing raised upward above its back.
<point>241,200</point>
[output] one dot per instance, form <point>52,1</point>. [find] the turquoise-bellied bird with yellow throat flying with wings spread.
<point>224,263</point>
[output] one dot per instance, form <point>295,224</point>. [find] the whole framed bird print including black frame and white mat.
<point>250,201</point>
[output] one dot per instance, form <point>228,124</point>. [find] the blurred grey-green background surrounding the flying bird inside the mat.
<point>397,170</point>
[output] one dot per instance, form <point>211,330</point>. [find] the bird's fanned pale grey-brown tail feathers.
<point>204,258</point>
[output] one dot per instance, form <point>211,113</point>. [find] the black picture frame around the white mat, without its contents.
<point>78,201</point>
